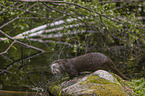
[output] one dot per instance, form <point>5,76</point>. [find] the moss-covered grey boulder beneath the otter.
<point>99,83</point>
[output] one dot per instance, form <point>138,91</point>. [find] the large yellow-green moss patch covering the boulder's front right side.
<point>102,87</point>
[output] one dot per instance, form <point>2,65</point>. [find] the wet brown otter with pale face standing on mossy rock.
<point>87,62</point>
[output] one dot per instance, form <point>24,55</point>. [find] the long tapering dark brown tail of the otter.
<point>114,69</point>
